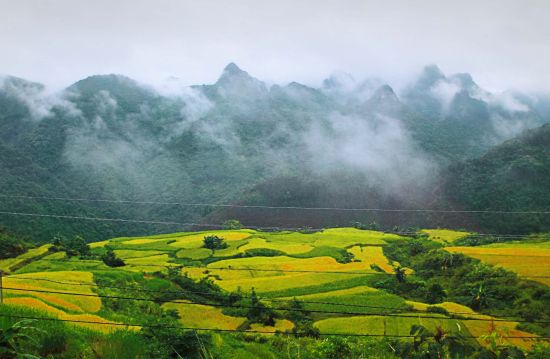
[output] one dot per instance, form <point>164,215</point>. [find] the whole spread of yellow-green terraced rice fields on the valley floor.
<point>307,256</point>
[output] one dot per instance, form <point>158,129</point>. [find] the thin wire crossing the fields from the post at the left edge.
<point>274,308</point>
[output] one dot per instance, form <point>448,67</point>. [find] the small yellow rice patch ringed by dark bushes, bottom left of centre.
<point>203,316</point>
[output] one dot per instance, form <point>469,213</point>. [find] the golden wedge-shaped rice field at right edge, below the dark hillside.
<point>526,259</point>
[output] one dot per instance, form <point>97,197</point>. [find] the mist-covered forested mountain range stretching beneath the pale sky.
<point>346,144</point>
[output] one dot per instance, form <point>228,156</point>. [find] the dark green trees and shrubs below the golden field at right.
<point>440,275</point>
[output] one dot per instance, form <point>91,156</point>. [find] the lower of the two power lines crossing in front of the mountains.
<point>190,204</point>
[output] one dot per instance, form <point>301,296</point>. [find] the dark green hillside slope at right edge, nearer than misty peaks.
<point>511,177</point>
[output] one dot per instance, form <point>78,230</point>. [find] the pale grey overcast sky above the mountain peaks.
<point>504,44</point>
